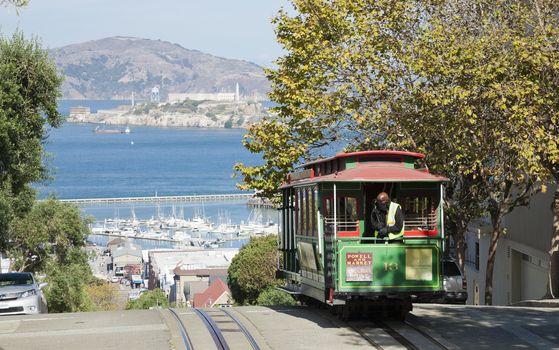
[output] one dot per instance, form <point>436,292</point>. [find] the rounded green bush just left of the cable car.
<point>253,269</point>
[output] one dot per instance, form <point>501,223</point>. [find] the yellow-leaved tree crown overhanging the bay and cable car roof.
<point>340,69</point>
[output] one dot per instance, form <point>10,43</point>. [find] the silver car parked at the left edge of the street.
<point>21,294</point>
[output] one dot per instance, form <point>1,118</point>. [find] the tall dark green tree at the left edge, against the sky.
<point>29,86</point>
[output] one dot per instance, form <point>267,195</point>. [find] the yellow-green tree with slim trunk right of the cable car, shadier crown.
<point>466,82</point>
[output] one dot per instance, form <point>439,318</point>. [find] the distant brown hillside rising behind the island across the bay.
<point>114,68</point>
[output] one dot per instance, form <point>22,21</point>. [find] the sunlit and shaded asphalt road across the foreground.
<point>455,327</point>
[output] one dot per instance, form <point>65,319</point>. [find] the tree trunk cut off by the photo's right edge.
<point>553,277</point>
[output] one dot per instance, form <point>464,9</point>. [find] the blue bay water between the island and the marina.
<point>147,162</point>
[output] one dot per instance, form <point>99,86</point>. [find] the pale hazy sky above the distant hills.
<point>232,29</point>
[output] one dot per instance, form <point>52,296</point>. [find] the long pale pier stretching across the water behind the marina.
<point>159,199</point>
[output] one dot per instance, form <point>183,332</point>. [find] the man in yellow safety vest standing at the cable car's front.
<point>387,218</point>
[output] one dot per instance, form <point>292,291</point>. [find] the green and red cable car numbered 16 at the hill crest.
<point>329,253</point>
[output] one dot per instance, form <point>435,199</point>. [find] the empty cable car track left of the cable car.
<point>219,329</point>
